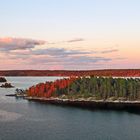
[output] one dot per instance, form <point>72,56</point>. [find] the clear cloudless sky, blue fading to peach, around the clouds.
<point>102,24</point>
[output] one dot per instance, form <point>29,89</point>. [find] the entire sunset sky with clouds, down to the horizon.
<point>69,34</point>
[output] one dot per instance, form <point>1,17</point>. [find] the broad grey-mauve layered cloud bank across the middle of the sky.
<point>54,56</point>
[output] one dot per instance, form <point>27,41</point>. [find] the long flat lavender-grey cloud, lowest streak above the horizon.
<point>83,61</point>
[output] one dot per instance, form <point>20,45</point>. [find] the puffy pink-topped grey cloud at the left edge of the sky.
<point>10,44</point>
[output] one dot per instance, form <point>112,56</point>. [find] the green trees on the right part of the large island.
<point>106,88</point>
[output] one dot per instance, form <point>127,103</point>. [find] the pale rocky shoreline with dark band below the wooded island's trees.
<point>93,104</point>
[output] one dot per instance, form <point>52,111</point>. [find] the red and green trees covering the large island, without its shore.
<point>86,87</point>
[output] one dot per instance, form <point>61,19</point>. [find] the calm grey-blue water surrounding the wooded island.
<point>23,120</point>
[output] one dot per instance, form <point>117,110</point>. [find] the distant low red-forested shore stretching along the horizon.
<point>106,72</point>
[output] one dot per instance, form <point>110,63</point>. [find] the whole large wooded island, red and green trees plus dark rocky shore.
<point>90,92</point>
